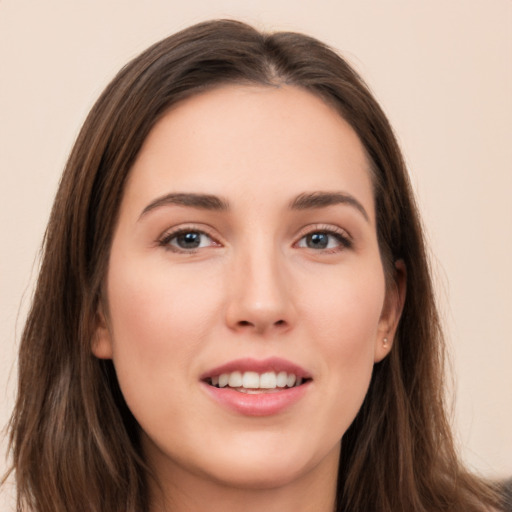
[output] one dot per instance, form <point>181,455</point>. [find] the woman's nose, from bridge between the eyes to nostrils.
<point>260,297</point>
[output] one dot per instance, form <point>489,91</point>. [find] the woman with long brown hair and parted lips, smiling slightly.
<point>234,309</point>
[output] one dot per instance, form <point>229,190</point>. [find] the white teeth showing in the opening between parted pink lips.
<point>252,382</point>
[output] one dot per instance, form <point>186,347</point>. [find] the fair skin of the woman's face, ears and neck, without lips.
<point>255,287</point>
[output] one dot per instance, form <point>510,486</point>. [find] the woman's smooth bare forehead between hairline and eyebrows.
<point>244,140</point>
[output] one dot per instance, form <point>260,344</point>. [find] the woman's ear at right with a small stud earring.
<point>391,312</point>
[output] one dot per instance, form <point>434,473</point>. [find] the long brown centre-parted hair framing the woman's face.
<point>73,440</point>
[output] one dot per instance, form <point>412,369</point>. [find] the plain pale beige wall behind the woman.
<point>442,70</point>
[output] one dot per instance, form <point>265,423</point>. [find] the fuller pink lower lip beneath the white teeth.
<point>257,404</point>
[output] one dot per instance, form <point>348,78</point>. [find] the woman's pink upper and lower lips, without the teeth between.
<point>260,404</point>
